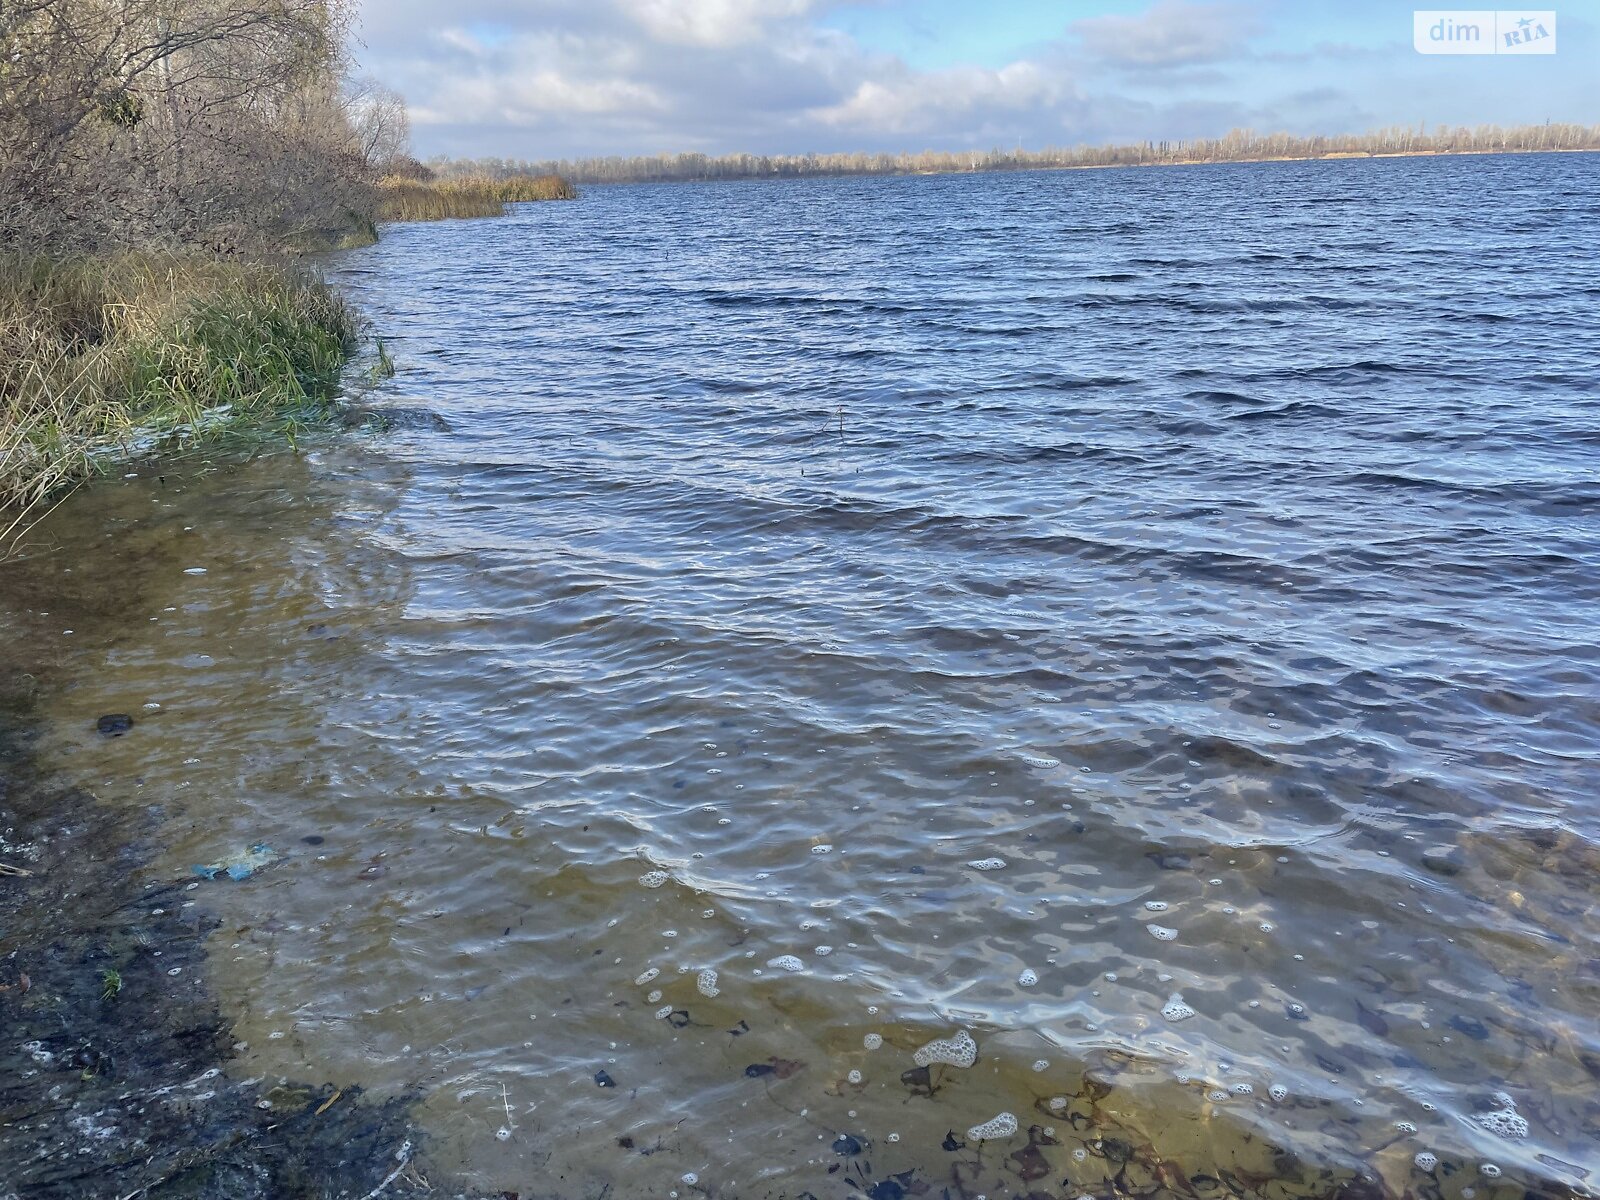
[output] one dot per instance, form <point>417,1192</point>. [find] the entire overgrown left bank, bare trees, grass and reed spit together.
<point>162,167</point>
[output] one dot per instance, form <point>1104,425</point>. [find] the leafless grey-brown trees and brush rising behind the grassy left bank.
<point>174,121</point>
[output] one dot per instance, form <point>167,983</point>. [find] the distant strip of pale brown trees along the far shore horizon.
<point>1238,146</point>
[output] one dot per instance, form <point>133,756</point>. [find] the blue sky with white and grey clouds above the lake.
<point>543,79</point>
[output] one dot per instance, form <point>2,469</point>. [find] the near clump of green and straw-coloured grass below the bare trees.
<point>100,351</point>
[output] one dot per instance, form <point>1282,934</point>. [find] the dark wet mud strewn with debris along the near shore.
<point>113,1052</point>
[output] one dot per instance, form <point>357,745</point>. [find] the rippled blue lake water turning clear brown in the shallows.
<point>1145,620</point>
